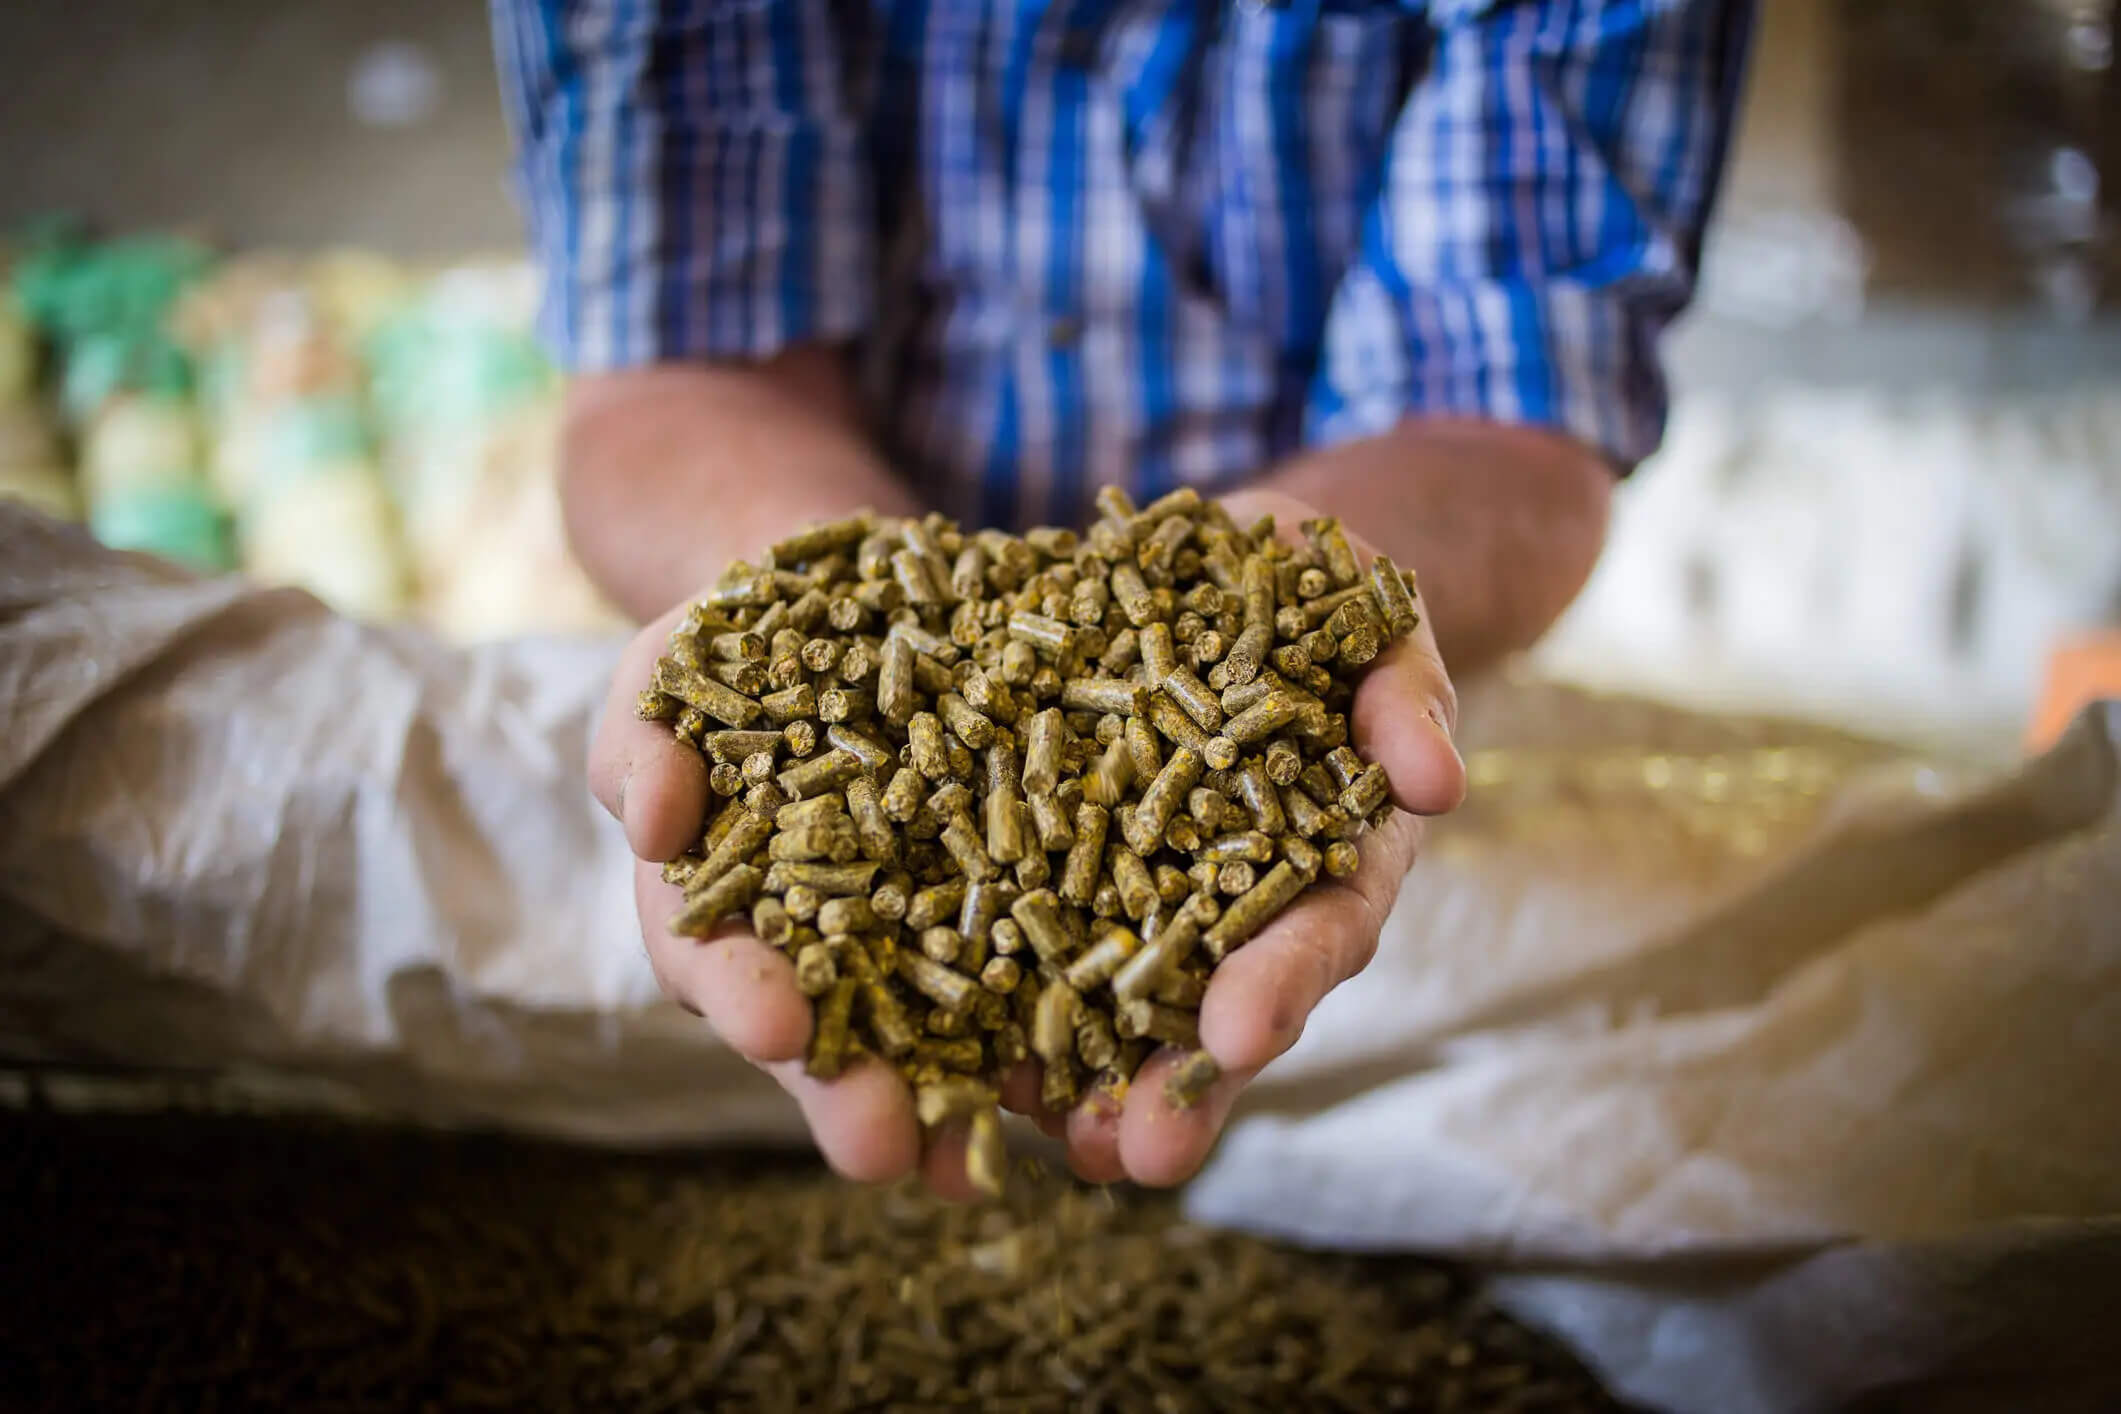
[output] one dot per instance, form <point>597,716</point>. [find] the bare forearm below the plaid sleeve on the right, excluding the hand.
<point>1501,525</point>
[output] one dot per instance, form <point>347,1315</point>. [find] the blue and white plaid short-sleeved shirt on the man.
<point>1134,241</point>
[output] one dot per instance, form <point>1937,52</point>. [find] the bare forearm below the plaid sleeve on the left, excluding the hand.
<point>667,474</point>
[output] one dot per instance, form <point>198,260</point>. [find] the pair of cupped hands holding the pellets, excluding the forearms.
<point>1255,1010</point>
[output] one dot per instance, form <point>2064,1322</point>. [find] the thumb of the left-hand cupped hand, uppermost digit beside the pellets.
<point>648,779</point>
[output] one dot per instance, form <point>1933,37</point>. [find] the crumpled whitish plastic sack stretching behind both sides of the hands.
<point>1770,1067</point>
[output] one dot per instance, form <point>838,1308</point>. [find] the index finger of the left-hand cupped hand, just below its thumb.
<point>743,989</point>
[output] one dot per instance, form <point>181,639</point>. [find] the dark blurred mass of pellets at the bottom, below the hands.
<point>243,1265</point>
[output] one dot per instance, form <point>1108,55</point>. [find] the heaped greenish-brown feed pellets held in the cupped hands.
<point>1017,796</point>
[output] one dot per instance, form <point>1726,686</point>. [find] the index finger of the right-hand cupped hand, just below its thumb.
<point>1261,995</point>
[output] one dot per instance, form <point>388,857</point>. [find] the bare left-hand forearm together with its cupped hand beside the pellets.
<point>669,474</point>
